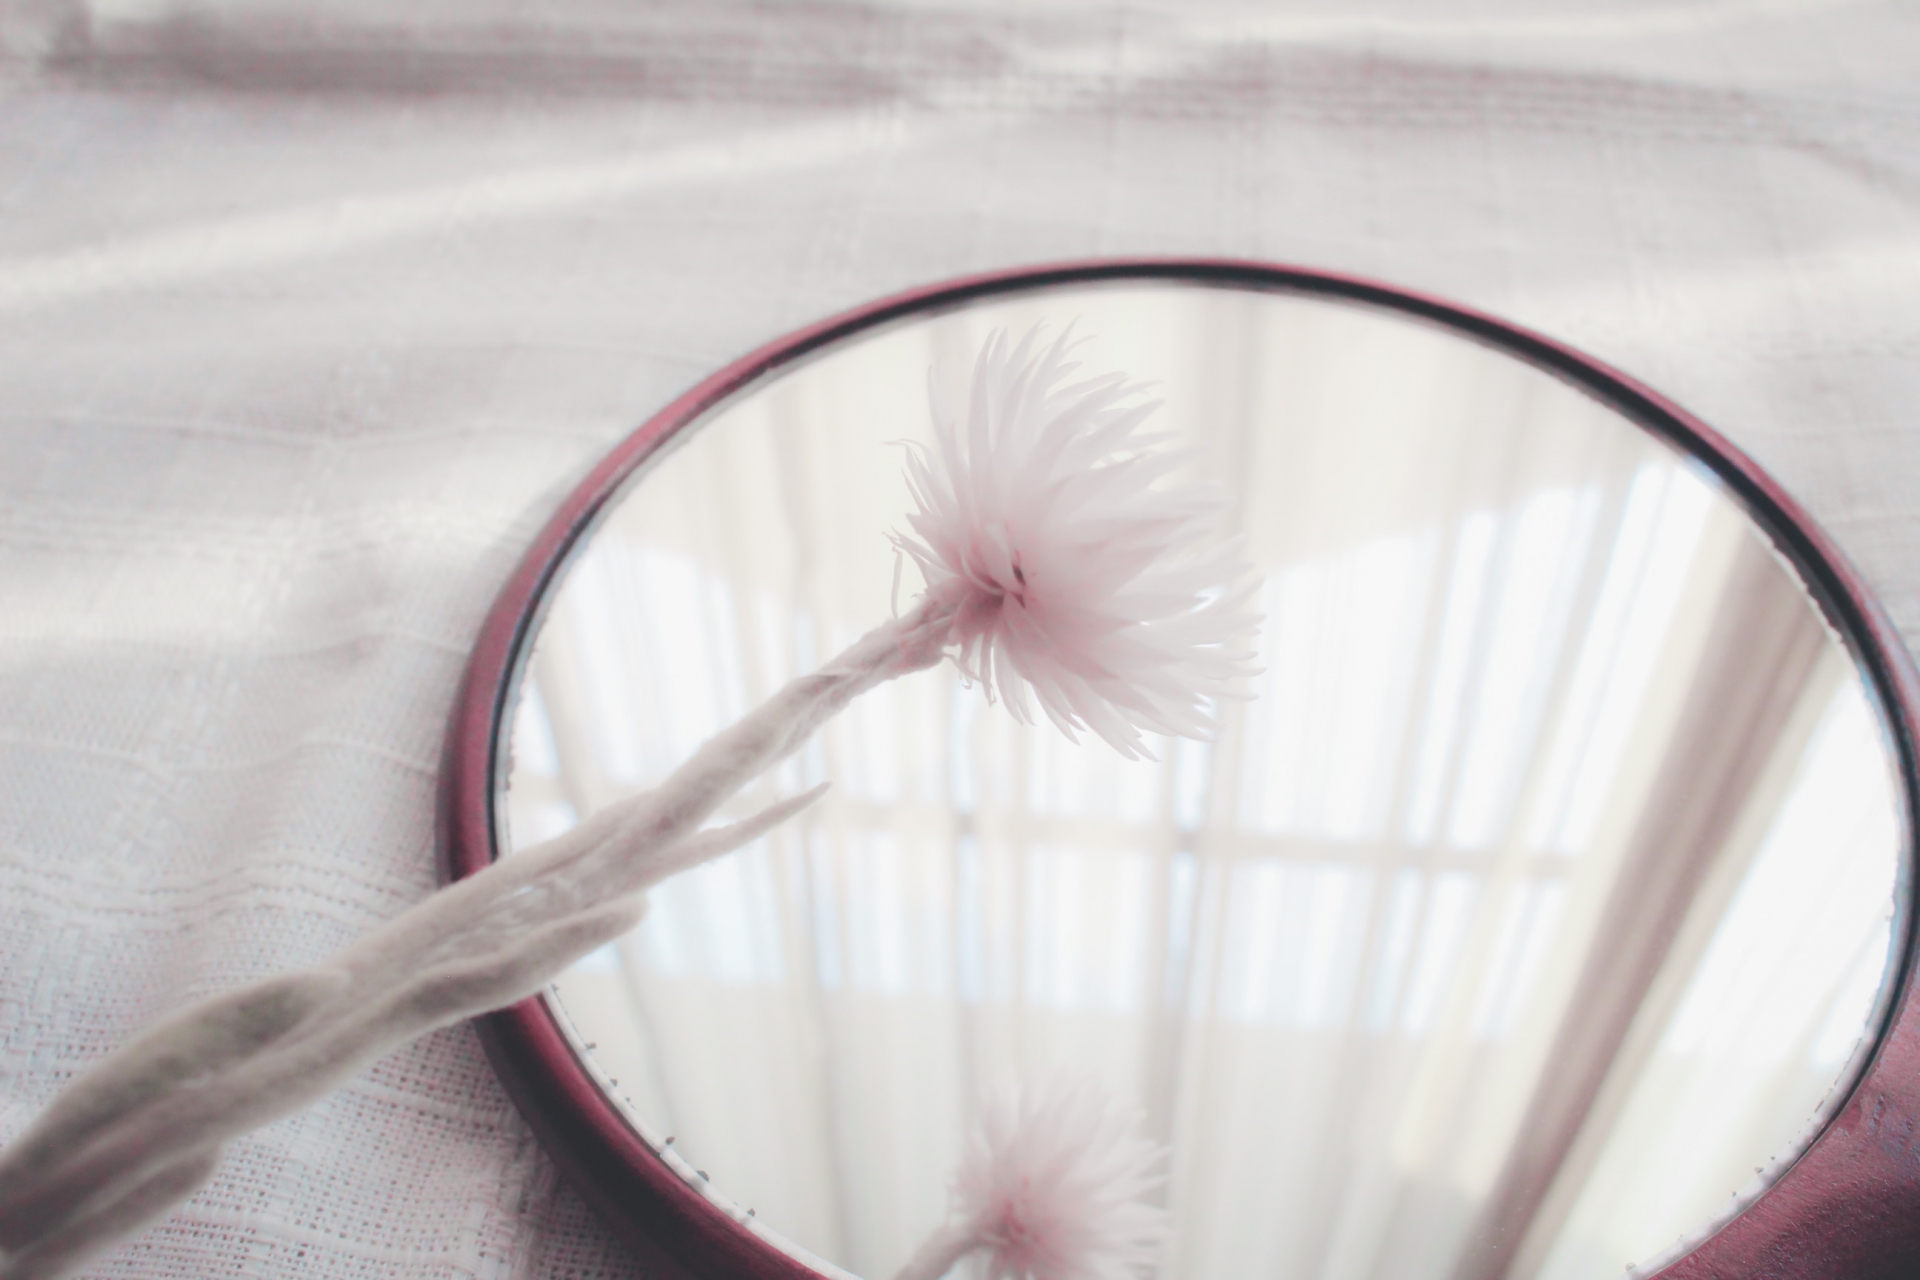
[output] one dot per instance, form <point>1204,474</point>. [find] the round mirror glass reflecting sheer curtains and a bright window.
<point>1522,924</point>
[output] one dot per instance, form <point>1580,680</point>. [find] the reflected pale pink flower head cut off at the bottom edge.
<point>1051,1187</point>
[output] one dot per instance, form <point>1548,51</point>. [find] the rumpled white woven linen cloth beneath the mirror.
<point>310,314</point>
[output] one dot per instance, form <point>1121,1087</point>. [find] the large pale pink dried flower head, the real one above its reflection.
<point>1074,567</point>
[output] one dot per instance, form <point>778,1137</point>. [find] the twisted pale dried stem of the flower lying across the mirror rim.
<point>143,1127</point>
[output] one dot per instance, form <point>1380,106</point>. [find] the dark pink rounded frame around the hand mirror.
<point>1846,1208</point>
